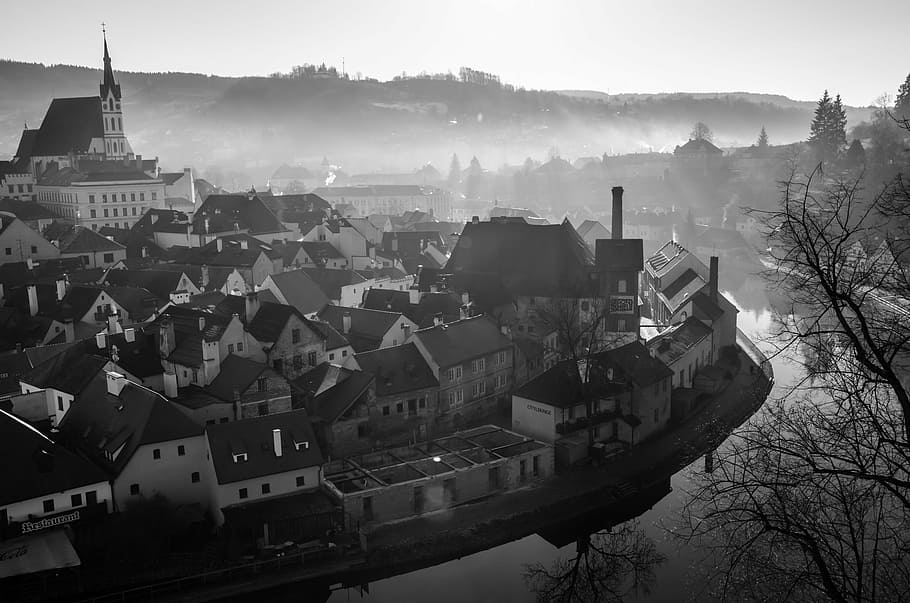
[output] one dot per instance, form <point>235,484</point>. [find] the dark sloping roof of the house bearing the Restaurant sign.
<point>34,466</point>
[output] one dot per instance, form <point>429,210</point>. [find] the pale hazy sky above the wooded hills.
<point>792,47</point>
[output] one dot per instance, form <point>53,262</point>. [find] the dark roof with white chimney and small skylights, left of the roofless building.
<point>254,437</point>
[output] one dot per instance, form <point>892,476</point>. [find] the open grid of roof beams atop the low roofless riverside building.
<point>461,450</point>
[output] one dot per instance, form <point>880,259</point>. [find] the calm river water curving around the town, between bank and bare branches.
<point>497,575</point>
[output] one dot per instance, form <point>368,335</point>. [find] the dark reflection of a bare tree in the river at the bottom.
<point>607,566</point>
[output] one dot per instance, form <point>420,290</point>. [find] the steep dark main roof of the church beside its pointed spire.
<point>69,125</point>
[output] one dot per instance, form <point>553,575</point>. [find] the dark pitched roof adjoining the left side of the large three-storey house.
<point>397,369</point>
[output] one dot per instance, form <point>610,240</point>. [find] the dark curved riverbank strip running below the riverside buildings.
<point>408,545</point>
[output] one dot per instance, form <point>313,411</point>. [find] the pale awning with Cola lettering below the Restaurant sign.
<point>37,553</point>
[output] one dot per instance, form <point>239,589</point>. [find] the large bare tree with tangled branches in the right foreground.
<point>811,499</point>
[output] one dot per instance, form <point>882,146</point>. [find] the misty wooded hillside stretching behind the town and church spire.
<point>255,124</point>
